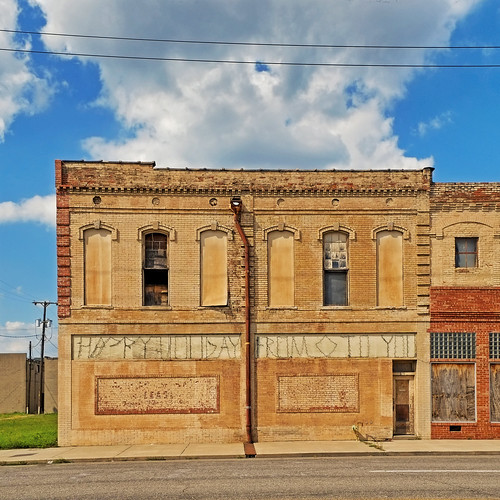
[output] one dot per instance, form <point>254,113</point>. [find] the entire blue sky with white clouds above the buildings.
<point>254,115</point>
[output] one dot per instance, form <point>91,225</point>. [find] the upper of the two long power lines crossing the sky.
<point>256,44</point>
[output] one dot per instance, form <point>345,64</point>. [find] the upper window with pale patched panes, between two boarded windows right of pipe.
<point>335,269</point>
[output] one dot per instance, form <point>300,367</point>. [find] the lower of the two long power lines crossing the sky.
<point>241,62</point>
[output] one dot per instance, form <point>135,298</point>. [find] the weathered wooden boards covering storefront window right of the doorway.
<point>453,392</point>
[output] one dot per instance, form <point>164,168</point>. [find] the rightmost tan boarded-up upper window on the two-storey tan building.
<point>389,268</point>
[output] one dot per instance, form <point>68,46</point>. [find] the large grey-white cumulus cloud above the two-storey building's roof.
<point>259,114</point>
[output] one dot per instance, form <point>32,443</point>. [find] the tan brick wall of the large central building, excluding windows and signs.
<point>130,198</point>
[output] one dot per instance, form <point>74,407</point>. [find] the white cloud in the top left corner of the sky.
<point>21,91</point>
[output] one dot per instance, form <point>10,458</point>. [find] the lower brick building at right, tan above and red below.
<point>465,310</point>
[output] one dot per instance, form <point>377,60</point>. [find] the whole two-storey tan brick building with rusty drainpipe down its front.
<point>215,305</point>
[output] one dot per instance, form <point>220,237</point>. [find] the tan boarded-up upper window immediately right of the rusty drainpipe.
<point>280,268</point>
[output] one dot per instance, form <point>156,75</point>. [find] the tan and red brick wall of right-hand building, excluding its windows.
<point>467,299</point>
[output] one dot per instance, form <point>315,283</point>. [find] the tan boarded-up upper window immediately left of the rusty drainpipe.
<point>213,268</point>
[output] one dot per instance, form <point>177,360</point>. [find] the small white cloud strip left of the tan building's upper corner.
<point>41,209</point>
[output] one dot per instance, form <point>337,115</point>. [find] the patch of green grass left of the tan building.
<point>18,430</point>
